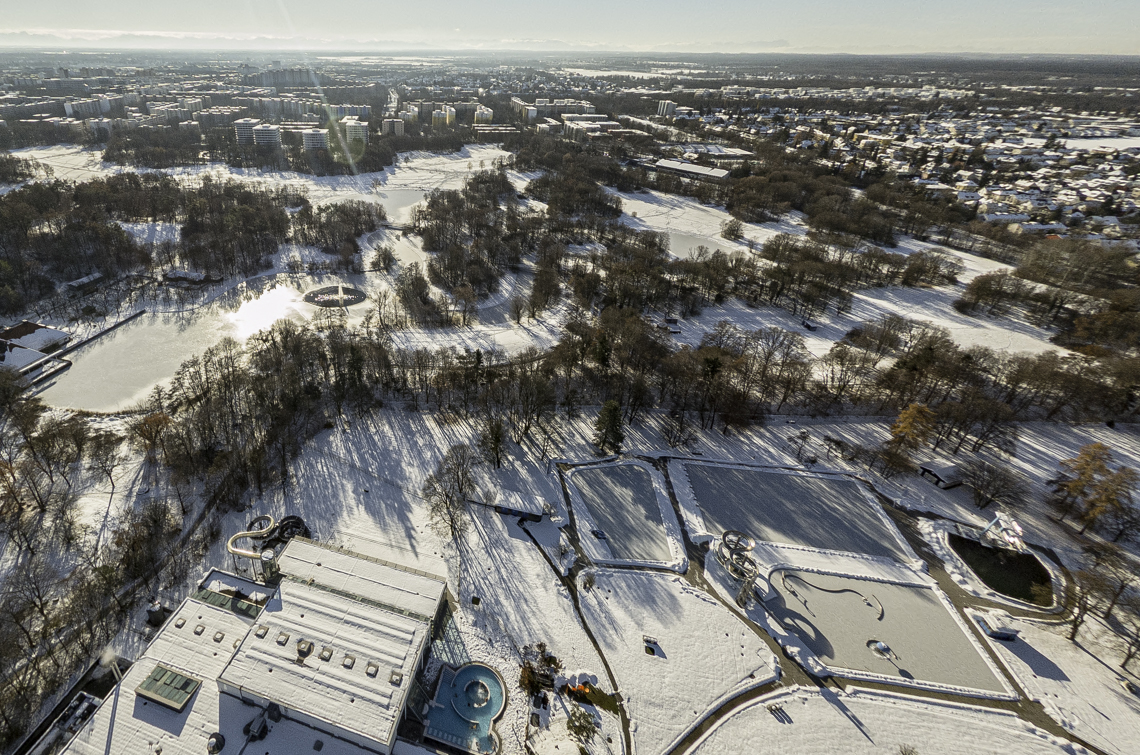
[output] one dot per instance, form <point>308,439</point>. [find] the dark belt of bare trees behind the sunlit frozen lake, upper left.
<point>58,231</point>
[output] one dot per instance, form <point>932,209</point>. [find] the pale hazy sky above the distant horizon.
<point>869,27</point>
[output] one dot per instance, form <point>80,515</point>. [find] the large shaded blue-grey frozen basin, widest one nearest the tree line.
<point>828,513</point>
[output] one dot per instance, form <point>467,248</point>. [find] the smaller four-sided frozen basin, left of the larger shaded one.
<point>624,516</point>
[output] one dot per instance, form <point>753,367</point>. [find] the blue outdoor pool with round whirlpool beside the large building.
<point>468,702</point>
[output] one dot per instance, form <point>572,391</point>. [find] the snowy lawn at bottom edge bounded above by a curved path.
<point>862,722</point>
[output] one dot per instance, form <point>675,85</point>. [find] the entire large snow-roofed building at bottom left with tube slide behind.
<point>321,661</point>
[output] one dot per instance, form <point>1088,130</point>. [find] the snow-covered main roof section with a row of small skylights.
<point>328,655</point>
